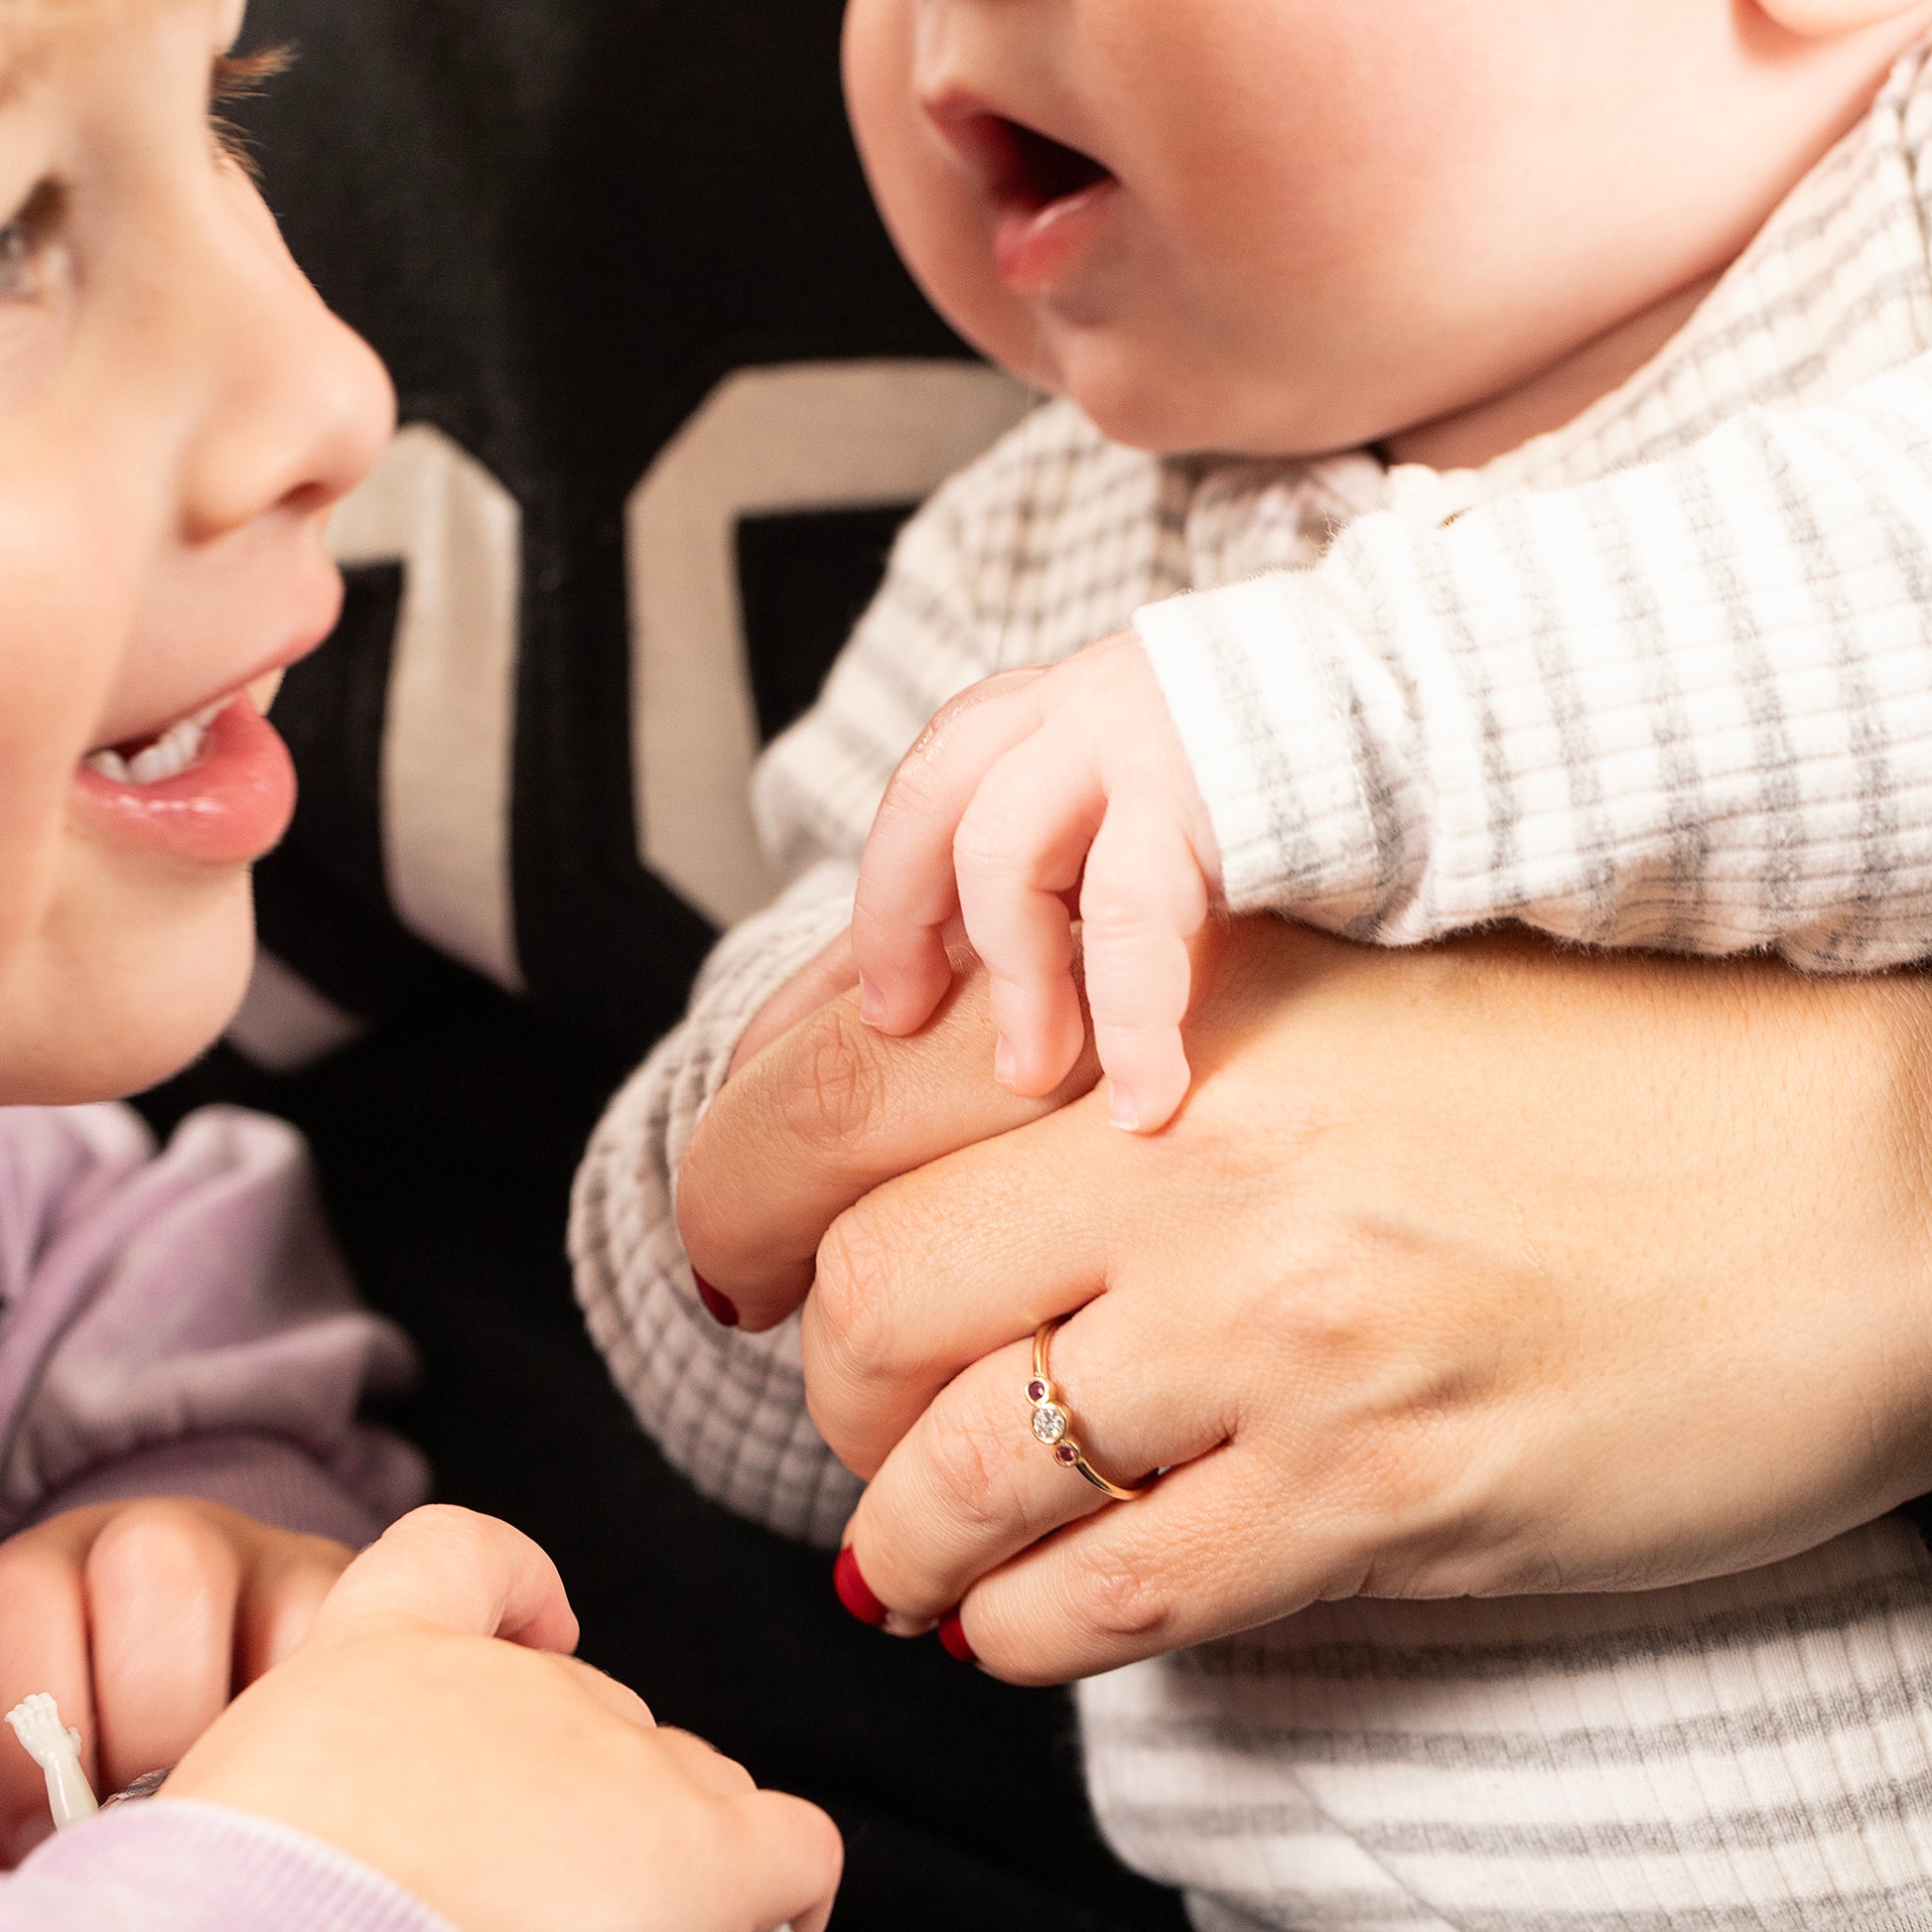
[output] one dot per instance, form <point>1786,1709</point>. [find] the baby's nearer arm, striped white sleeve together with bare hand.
<point>1684,708</point>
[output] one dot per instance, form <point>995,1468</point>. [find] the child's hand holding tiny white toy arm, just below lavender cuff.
<point>142,1620</point>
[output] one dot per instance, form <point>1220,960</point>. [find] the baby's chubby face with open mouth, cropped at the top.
<point>1297,225</point>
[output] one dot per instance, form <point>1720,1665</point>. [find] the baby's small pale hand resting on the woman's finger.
<point>1025,797</point>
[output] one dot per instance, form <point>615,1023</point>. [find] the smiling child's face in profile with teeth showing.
<point>177,418</point>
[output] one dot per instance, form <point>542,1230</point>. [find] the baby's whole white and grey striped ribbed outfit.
<point>1662,677</point>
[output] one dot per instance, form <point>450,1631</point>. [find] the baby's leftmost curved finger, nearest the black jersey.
<point>905,888</point>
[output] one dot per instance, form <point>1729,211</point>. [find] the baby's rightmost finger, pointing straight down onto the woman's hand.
<point>1141,905</point>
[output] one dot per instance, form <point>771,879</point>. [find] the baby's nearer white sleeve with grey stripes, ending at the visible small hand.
<point>1688,706</point>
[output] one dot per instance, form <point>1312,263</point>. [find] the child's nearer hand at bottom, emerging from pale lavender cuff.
<point>503,1782</point>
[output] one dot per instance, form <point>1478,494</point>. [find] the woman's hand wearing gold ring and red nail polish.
<point>1462,1272</point>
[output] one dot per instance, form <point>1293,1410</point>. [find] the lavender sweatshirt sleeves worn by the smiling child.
<point>181,1324</point>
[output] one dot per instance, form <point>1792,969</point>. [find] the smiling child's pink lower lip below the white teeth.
<point>227,809</point>
